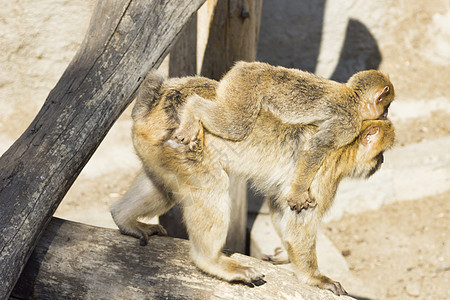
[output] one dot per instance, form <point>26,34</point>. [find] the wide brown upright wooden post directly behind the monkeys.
<point>232,35</point>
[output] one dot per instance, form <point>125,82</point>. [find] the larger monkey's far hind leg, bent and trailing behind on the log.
<point>143,199</point>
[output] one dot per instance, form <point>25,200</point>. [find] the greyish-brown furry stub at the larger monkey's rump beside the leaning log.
<point>148,95</point>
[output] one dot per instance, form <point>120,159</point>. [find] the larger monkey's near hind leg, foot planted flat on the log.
<point>207,219</point>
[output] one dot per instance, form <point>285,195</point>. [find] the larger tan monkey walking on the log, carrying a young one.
<point>197,177</point>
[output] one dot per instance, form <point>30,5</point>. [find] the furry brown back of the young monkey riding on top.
<point>293,95</point>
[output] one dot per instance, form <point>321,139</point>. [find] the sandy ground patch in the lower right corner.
<point>400,251</point>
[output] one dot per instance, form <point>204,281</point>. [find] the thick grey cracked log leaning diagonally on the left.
<point>125,39</point>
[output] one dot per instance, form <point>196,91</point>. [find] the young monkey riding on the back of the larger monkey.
<point>296,97</point>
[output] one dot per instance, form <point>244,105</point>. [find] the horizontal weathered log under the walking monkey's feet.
<point>76,261</point>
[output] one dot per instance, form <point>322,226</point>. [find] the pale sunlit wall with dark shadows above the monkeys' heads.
<point>410,40</point>
